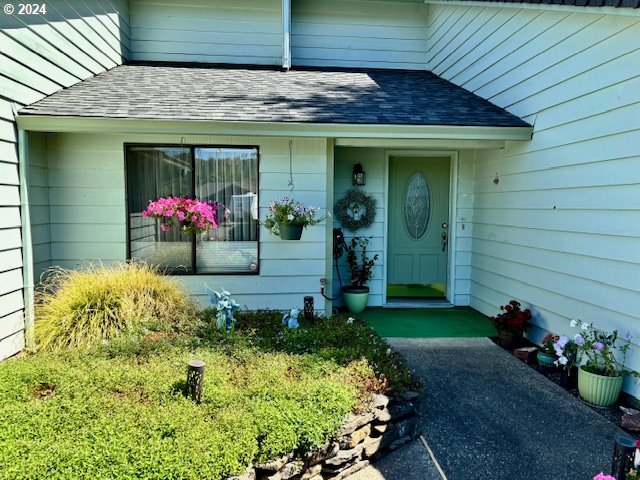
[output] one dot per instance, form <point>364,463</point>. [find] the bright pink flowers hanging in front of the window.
<point>192,216</point>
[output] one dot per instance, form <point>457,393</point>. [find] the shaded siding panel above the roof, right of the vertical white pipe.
<point>358,34</point>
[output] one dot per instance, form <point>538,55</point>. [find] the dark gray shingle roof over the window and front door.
<point>200,92</point>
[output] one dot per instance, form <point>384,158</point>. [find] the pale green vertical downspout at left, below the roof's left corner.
<point>27,244</point>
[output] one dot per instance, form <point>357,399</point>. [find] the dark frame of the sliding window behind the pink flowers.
<point>192,148</point>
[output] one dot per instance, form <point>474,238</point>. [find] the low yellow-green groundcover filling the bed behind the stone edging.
<point>77,415</point>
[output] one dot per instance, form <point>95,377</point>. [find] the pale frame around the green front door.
<point>450,287</point>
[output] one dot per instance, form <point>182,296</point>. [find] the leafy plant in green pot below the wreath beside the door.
<point>360,266</point>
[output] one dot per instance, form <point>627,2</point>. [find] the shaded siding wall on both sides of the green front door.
<point>373,161</point>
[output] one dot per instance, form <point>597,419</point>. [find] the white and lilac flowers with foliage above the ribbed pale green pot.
<point>593,349</point>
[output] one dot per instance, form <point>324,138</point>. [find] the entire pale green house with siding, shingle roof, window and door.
<point>535,176</point>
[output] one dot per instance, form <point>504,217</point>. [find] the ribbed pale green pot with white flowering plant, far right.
<point>600,374</point>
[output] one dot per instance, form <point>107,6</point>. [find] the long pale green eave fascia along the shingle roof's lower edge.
<point>48,123</point>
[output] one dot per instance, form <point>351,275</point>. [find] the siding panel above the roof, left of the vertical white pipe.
<point>241,32</point>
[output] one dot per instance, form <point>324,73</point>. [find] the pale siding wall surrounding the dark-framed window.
<point>91,168</point>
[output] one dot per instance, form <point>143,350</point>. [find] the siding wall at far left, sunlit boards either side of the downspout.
<point>38,56</point>
